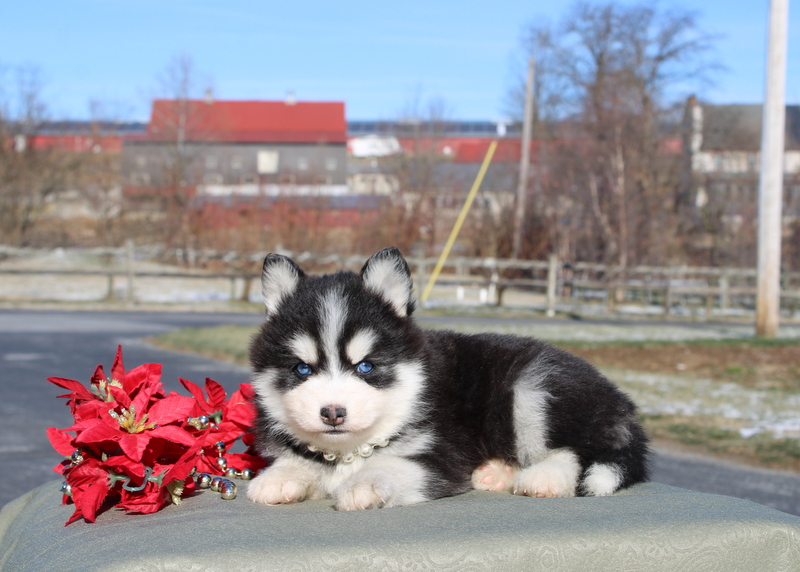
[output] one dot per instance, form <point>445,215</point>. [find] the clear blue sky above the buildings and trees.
<point>378,57</point>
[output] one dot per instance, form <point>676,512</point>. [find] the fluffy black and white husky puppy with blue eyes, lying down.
<point>357,403</point>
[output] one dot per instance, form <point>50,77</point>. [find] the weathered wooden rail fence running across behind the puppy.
<point>547,283</point>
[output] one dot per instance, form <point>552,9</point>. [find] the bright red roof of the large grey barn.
<point>249,121</point>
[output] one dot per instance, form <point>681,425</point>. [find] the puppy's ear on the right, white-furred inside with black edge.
<point>386,274</point>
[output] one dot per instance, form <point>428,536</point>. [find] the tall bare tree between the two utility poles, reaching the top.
<point>608,75</point>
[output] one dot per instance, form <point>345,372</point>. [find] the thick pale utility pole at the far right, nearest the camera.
<point>770,186</point>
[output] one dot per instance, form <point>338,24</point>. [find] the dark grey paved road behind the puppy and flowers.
<point>37,344</point>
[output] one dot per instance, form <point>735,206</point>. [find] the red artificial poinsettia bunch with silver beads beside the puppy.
<point>132,443</point>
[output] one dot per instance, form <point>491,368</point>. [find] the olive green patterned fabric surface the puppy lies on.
<point>648,527</point>
